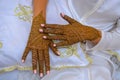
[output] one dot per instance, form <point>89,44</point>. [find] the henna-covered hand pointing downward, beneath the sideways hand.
<point>39,47</point>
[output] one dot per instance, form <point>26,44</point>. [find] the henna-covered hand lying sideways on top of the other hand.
<point>72,33</point>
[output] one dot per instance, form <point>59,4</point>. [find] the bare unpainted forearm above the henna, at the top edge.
<point>39,6</point>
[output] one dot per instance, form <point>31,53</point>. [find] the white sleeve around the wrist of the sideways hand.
<point>109,41</point>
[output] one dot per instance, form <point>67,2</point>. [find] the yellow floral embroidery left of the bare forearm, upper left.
<point>23,12</point>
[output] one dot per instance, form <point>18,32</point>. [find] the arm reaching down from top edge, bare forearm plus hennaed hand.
<point>36,44</point>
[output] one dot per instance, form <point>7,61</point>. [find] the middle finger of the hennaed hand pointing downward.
<point>41,62</point>
